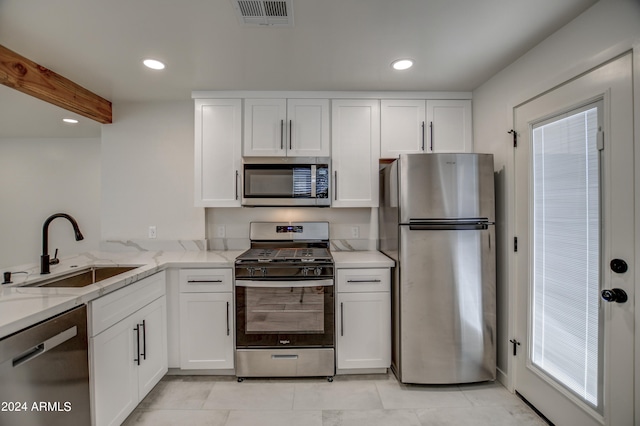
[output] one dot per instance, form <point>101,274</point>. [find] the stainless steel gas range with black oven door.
<point>285,302</point>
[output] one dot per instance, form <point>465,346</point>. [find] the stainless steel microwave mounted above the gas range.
<point>286,181</point>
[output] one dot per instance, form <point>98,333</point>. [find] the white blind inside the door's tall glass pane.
<point>566,251</point>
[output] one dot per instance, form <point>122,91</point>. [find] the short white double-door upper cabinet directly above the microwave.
<point>286,127</point>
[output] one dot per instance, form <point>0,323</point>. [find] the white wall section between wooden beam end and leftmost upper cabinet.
<point>147,173</point>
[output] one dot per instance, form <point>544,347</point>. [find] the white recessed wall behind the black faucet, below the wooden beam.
<point>41,177</point>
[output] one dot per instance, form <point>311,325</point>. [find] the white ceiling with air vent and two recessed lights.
<point>333,45</point>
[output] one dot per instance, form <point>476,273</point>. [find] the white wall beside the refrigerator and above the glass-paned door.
<point>606,30</point>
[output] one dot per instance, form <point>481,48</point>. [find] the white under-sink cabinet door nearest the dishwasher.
<point>115,379</point>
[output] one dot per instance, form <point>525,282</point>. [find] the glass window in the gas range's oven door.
<point>294,310</point>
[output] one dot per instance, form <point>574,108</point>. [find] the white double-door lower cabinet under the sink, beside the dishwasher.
<point>128,348</point>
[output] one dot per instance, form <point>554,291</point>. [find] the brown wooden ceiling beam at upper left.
<point>28,77</point>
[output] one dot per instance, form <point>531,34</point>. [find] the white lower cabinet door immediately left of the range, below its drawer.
<point>206,331</point>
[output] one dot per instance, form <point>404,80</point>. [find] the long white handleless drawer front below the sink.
<point>110,309</point>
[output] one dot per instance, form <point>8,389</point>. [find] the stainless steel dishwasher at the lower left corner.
<point>44,373</point>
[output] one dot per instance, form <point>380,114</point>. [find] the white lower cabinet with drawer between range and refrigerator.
<point>363,320</point>
